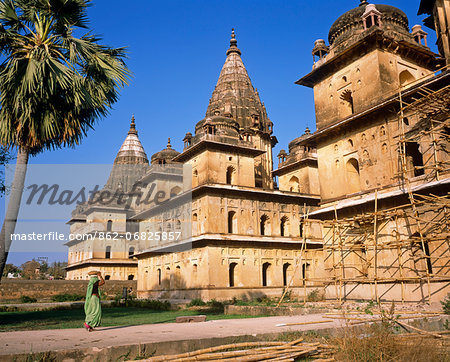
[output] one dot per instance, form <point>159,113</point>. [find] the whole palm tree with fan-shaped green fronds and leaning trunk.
<point>53,85</point>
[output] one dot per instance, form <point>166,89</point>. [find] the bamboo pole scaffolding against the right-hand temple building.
<point>423,219</point>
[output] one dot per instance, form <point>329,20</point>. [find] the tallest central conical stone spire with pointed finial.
<point>234,96</point>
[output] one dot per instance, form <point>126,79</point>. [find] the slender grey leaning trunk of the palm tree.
<point>9,224</point>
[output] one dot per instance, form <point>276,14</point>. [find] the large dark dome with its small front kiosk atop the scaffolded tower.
<point>357,20</point>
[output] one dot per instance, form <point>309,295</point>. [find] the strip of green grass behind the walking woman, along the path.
<point>74,318</point>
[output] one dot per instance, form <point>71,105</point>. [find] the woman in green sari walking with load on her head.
<point>92,307</point>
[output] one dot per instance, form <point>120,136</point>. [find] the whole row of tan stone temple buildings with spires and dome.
<point>358,209</point>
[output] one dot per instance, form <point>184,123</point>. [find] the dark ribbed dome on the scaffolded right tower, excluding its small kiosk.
<point>350,23</point>
